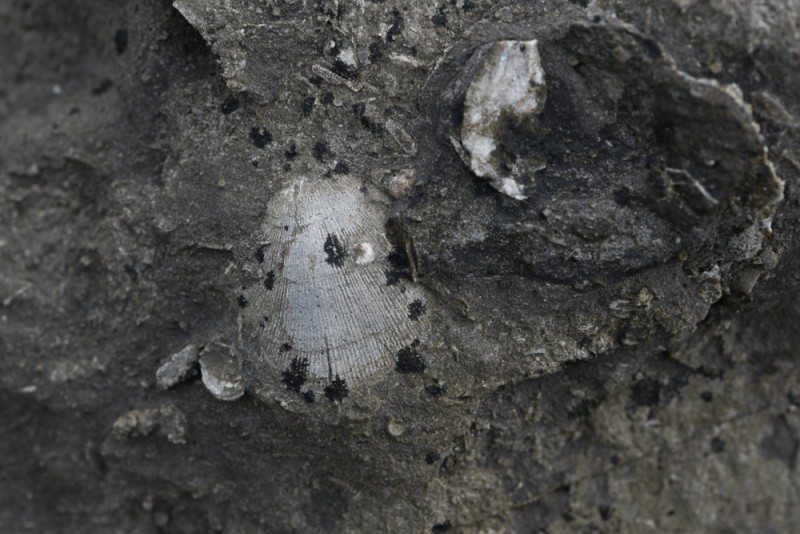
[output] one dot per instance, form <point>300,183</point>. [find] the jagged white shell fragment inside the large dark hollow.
<point>508,89</point>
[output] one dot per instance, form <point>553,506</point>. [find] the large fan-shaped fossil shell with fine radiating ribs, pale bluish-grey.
<point>327,306</point>
